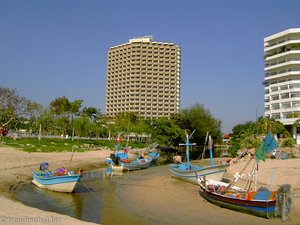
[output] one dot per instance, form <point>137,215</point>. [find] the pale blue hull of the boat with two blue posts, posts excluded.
<point>180,171</point>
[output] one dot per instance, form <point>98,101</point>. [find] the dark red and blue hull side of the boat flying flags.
<point>263,208</point>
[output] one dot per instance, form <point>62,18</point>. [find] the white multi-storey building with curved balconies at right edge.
<point>282,77</point>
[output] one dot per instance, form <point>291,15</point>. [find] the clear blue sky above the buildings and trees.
<point>55,48</point>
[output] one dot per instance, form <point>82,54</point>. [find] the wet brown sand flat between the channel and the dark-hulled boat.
<point>165,200</point>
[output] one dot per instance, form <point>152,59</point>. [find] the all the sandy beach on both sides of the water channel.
<point>145,197</point>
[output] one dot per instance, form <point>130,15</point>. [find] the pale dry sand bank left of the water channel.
<point>15,169</point>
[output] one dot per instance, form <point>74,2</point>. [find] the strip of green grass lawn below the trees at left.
<point>62,145</point>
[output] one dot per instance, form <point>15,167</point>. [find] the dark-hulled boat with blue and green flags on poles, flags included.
<point>260,202</point>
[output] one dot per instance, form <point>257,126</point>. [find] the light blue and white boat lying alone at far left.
<point>51,181</point>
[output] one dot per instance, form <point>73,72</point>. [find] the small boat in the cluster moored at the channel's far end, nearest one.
<point>133,165</point>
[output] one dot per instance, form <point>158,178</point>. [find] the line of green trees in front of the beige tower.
<point>65,117</point>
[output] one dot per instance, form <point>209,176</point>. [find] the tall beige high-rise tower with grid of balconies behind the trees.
<point>143,76</point>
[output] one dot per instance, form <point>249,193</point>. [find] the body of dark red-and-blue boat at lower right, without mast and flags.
<point>260,203</point>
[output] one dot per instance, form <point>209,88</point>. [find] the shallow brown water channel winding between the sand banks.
<point>87,202</point>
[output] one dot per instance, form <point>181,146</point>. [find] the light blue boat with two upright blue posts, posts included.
<point>187,172</point>
